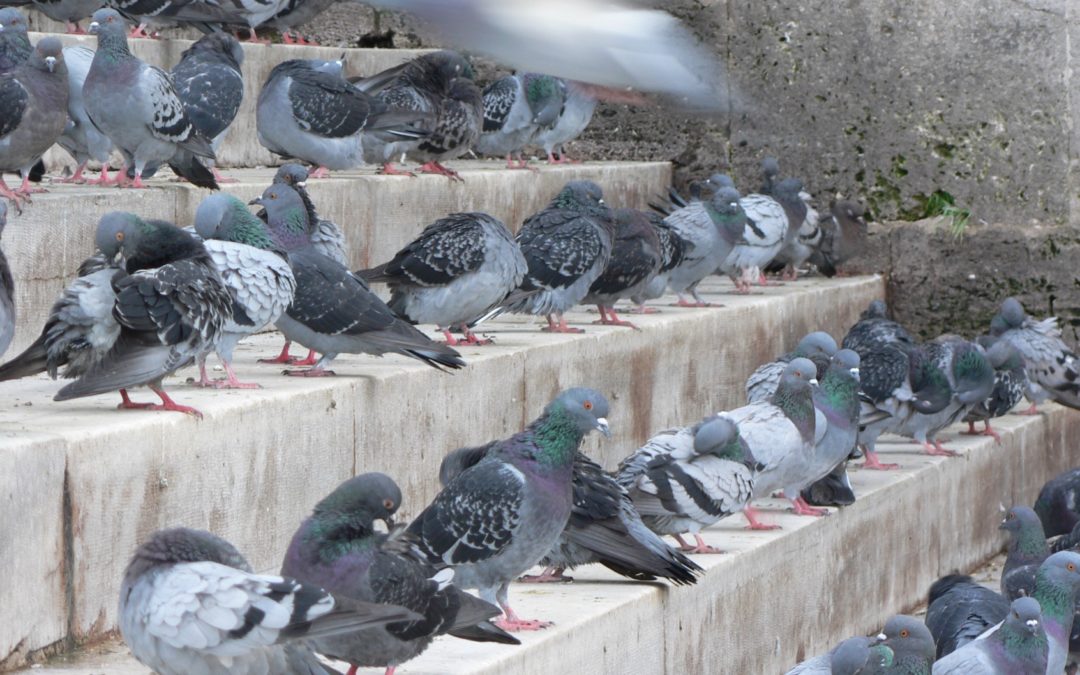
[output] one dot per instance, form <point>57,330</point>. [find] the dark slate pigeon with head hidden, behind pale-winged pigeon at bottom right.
<point>960,611</point>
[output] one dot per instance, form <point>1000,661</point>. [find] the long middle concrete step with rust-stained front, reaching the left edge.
<point>86,483</point>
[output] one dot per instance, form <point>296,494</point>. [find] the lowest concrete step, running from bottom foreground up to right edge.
<point>776,598</point>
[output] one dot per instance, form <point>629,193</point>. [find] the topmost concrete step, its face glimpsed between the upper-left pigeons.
<point>241,146</point>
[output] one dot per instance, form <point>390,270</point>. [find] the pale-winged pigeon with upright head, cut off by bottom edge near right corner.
<point>1019,647</point>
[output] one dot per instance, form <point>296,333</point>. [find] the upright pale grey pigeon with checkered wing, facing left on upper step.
<point>139,109</point>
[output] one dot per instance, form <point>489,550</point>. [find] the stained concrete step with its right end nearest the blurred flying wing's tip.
<point>380,214</point>
